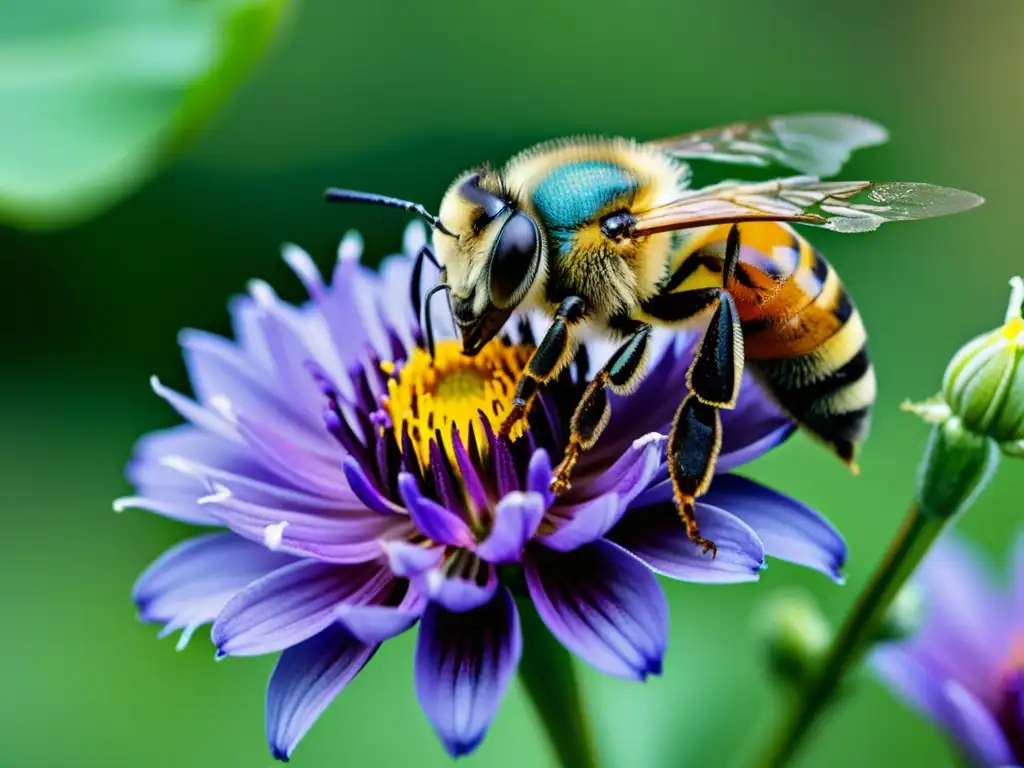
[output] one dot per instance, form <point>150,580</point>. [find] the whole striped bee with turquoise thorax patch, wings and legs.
<point>608,236</point>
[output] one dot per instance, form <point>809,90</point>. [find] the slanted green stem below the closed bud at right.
<point>906,551</point>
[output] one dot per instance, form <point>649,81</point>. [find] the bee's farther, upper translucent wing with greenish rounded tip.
<point>816,145</point>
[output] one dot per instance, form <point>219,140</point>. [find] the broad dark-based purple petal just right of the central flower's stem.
<point>605,606</point>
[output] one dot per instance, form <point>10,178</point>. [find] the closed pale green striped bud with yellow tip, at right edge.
<point>985,383</point>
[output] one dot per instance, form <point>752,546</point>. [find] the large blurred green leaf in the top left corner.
<point>96,96</point>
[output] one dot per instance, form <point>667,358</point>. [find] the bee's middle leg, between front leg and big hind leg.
<point>622,373</point>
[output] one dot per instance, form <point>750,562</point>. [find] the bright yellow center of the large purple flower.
<point>428,397</point>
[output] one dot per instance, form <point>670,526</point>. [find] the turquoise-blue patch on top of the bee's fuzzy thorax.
<point>574,194</point>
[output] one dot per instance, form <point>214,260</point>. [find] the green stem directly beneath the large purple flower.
<point>548,674</point>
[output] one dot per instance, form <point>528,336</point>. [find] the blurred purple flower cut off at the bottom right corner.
<point>964,669</point>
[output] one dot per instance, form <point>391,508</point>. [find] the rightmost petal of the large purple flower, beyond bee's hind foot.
<point>789,530</point>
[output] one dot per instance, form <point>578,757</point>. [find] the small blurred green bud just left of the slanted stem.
<point>796,637</point>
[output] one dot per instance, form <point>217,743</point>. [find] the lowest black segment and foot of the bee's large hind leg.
<point>694,446</point>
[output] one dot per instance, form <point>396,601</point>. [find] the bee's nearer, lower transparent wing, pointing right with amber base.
<point>807,200</point>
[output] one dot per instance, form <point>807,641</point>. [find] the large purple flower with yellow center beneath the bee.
<point>361,489</point>
